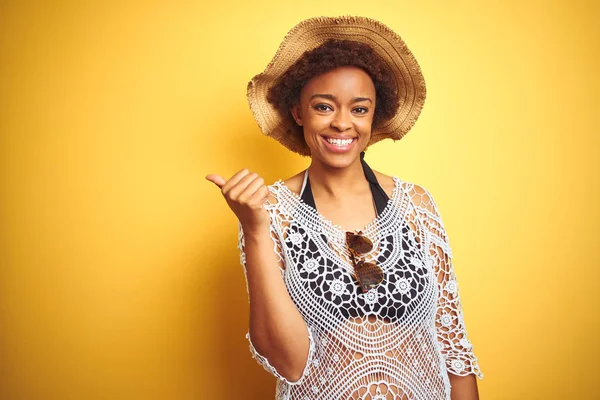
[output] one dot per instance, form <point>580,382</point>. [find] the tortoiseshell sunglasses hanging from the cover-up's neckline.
<point>368,274</point>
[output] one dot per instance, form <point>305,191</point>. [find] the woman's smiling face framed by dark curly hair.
<point>336,112</point>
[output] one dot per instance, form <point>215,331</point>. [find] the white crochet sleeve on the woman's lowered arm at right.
<point>451,332</point>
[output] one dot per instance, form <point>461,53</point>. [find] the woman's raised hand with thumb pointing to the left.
<point>245,193</point>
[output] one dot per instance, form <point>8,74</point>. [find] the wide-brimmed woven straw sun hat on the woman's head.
<point>312,33</point>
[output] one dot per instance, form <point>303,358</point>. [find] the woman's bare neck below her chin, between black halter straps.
<point>337,182</point>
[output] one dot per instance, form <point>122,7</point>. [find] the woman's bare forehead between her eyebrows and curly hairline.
<point>342,82</point>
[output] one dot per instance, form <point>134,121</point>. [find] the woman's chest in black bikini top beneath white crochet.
<point>320,276</point>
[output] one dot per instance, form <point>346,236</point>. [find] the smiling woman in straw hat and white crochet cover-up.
<point>351,287</point>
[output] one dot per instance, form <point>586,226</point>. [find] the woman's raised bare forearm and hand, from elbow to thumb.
<point>277,330</point>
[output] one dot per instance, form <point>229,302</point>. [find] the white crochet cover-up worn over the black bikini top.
<point>397,341</point>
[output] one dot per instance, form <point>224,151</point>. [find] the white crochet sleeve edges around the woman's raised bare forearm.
<point>255,354</point>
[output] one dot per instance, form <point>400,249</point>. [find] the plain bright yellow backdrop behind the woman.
<point>120,277</point>
